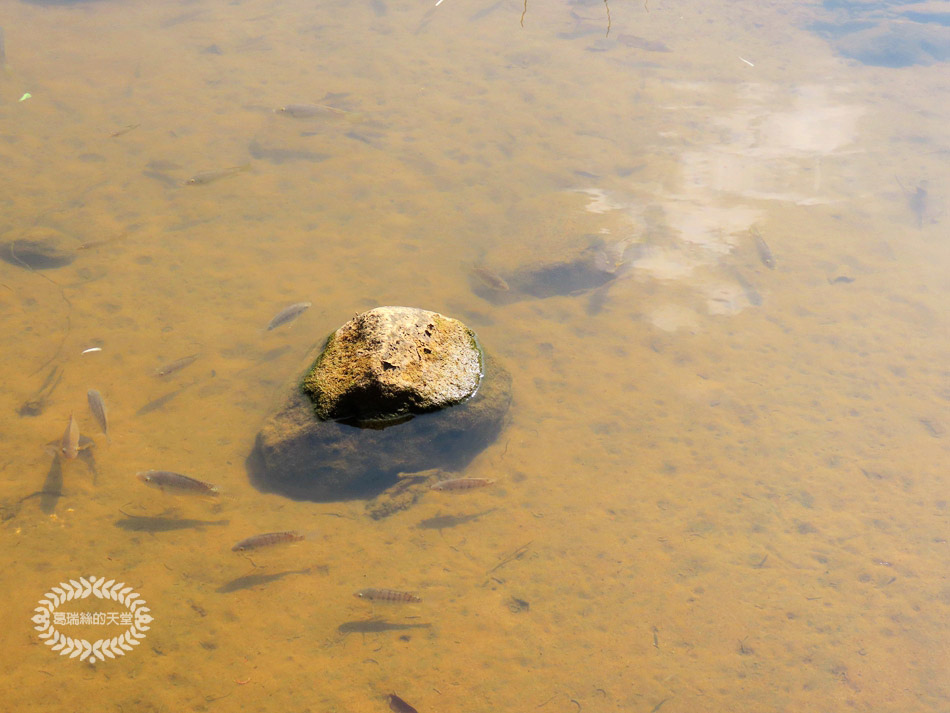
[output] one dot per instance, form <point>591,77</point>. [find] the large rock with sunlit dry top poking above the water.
<point>355,423</point>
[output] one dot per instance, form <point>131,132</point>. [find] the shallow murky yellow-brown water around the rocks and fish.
<point>708,504</point>
